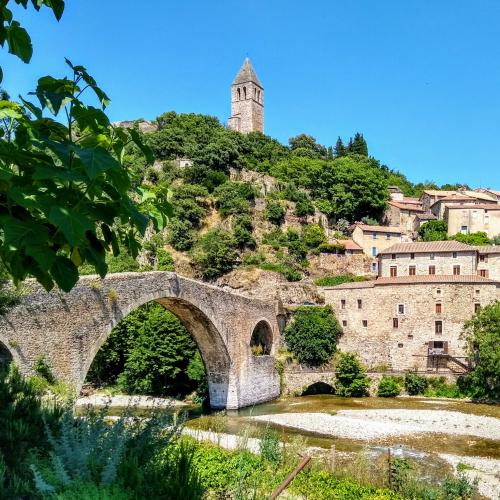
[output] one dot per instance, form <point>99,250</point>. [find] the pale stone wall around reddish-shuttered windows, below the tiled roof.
<point>443,262</point>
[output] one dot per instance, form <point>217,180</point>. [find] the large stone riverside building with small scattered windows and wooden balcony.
<point>410,322</point>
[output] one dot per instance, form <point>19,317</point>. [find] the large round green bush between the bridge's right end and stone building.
<point>312,335</point>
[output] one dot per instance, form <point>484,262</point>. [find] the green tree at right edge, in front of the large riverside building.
<point>482,334</point>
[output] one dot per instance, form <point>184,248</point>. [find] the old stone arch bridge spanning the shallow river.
<point>68,330</point>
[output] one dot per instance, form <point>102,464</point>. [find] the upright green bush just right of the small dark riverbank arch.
<point>351,379</point>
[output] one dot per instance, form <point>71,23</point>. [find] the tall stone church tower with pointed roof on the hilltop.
<point>247,101</point>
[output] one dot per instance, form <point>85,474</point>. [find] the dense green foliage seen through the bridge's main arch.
<point>149,352</point>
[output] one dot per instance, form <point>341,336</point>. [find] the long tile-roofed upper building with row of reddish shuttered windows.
<point>428,258</point>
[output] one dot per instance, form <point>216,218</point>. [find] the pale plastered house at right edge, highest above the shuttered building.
<point>471,218</point>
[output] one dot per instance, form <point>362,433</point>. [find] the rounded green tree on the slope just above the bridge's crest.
<point>215,253</point>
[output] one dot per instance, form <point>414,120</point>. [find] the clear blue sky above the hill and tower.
<point>420,78</point>
